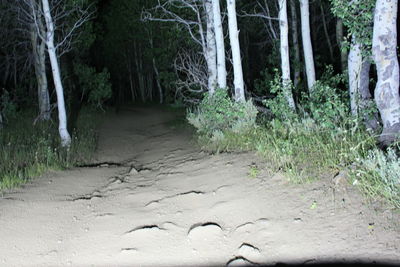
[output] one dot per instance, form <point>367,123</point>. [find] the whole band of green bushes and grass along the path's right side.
<point>320,139</point>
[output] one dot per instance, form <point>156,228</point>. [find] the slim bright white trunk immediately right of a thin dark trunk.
<point>307,44</point>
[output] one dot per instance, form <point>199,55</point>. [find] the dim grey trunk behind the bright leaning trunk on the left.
<point>39,58</point>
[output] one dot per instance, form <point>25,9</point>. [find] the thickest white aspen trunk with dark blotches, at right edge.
<point>384,46</point>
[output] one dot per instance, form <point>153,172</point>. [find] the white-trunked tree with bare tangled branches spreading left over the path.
<point>192,16</point>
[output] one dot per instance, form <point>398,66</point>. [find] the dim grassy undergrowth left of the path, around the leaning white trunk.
<point>28,150</point>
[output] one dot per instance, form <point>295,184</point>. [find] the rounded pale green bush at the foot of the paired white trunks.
<point>217,113</point>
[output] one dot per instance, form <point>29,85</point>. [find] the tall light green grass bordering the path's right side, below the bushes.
<point>304,152</point>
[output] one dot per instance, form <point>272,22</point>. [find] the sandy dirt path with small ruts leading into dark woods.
<point>168,204</point>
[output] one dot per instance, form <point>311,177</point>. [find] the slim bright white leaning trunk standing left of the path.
<point>62,116</point>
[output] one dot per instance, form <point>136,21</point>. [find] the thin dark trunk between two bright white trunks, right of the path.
<point>296,46</point>
